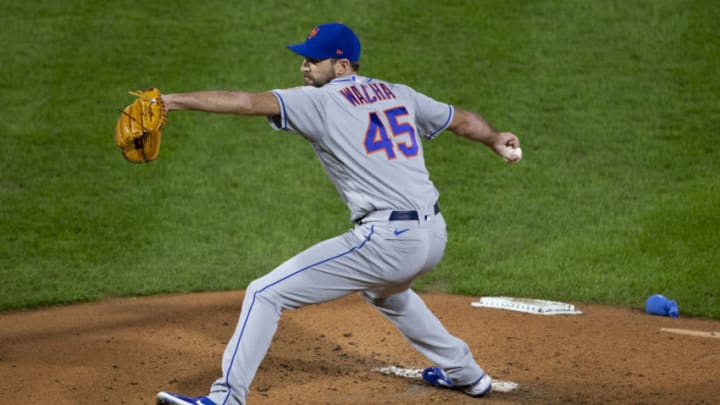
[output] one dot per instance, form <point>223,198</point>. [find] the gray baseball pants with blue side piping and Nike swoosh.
<point>379,258</point>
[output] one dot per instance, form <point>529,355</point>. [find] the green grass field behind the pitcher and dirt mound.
<point>617,105</point>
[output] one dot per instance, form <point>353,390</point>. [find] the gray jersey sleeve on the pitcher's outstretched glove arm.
<point>301,111</point>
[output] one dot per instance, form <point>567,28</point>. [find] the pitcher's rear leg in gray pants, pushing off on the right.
<point>408,312</point>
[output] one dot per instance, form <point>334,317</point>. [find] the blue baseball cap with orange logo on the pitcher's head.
<point>330,40</point>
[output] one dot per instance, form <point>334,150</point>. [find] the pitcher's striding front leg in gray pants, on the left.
<point>320,273</point>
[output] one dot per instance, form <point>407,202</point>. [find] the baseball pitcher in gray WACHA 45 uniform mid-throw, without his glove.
<point>367,133</point>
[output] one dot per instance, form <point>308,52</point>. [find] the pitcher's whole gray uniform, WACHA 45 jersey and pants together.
<point>367,134</point>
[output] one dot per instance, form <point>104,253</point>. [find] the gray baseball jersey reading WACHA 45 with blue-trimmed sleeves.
<point>367,133</point>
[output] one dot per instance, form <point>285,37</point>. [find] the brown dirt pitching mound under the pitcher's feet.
<point>124,351</point>
